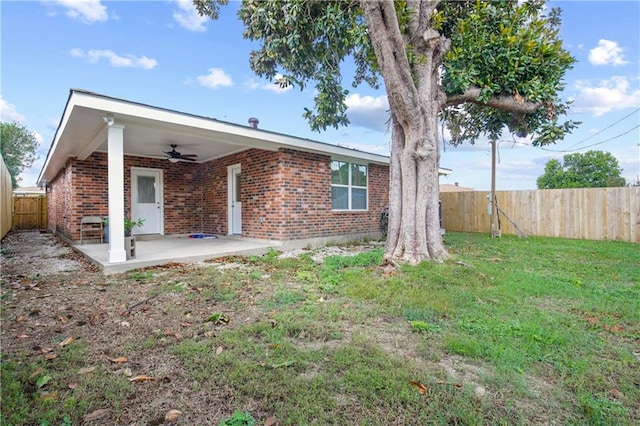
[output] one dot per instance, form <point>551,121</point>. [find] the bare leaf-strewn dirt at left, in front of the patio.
<point>52,298</point>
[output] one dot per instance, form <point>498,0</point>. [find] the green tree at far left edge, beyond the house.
<point>18,147</point>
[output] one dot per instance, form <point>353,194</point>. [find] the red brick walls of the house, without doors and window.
<point>286,195</point>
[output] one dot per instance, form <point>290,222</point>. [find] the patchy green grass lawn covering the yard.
<point>510,331</point>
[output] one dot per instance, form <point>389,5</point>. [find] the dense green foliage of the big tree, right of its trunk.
<point>505,50</point>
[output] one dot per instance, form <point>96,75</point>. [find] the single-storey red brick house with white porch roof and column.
<point>111,157</point>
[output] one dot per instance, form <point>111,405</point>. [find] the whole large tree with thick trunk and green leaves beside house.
<point>481,65</point>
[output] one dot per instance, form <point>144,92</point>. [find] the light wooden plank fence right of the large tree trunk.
<point>585,213</point>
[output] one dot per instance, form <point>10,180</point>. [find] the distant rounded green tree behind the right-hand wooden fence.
<point>592,169</point>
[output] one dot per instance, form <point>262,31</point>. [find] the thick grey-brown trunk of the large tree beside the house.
<point>415,100</point>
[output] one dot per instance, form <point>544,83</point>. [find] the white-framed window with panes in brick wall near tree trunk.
<point>349,186</point>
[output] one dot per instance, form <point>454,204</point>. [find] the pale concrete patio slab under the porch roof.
<point>159,250</point>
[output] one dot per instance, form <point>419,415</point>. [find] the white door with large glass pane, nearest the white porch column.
<point>146,200</point>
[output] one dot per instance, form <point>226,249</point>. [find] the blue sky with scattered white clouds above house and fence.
<point>161,53</point>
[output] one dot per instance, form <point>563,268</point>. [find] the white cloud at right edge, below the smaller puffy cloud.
<point>613,94</point>
